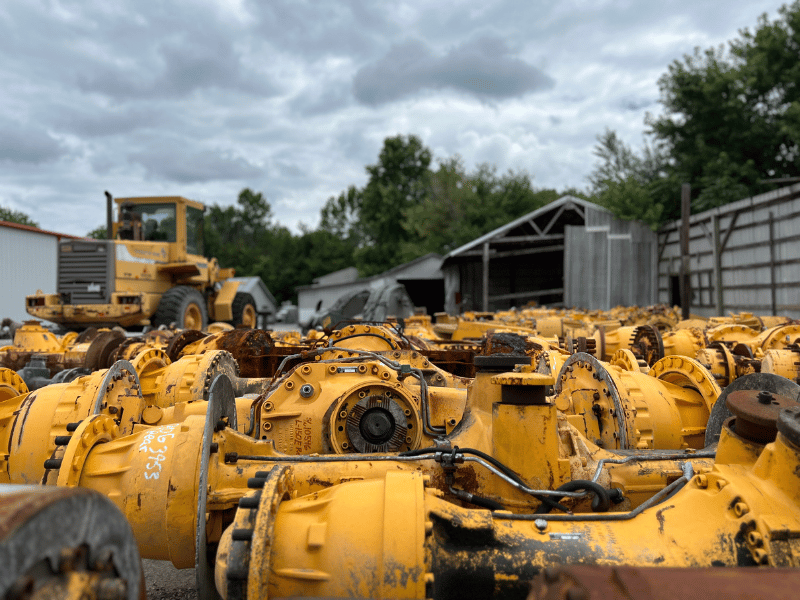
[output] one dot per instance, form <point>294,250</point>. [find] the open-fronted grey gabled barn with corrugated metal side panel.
<point>570,252</point>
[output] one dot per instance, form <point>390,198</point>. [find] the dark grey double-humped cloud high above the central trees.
<point>483,68</point>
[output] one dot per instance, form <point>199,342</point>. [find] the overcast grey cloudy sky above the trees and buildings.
<point>292,98</point>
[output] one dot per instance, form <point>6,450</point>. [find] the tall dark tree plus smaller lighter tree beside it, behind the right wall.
<point>730,127</point>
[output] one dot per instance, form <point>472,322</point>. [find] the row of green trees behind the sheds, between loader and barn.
<point>406,209</point>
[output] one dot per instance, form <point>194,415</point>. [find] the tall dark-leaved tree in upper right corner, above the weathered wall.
<point>731,117</point>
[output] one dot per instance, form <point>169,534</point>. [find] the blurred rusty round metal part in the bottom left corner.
<point>66,543</point>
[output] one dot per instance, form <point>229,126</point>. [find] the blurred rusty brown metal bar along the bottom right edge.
<point>654,583</point>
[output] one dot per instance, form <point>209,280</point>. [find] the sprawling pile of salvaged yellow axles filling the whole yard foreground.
<point>465,457</point>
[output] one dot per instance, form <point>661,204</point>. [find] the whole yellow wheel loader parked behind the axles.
<point>151,271</point>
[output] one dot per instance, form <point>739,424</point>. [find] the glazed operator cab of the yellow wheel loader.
<point>174,220</point>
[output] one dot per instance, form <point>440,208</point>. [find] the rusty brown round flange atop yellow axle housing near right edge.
<point>757,413</point>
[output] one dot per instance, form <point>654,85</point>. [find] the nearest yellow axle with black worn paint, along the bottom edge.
<point>749,516</point>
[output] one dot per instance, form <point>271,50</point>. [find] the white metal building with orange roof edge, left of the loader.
<point>28,264</point>
